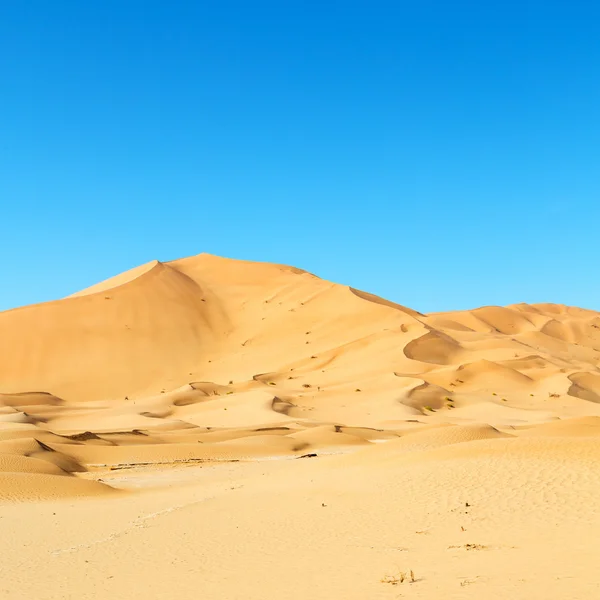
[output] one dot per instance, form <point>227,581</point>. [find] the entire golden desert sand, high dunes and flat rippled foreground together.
<point>220,429</point>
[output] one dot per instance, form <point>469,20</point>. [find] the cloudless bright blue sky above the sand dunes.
<point>444,155</point>
